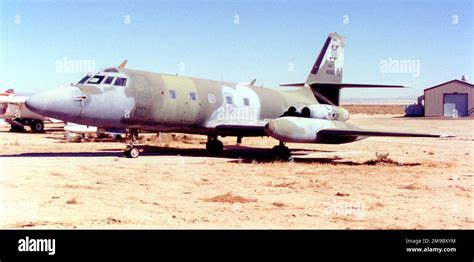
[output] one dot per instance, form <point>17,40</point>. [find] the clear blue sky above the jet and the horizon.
<point>269,36</point>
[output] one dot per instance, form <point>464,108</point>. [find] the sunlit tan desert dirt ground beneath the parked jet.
<point>423,183</point>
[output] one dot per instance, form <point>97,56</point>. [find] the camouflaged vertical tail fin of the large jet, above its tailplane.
<point>328,65</point>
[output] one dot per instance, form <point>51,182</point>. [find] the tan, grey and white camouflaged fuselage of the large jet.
<point>169,103</point>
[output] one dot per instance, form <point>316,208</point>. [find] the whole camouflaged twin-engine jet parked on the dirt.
<point>136,100</point>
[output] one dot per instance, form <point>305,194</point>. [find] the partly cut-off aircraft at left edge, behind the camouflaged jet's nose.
<point>13,110</point>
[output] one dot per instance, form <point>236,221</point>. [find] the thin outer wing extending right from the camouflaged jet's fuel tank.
<point>366,133</point>
